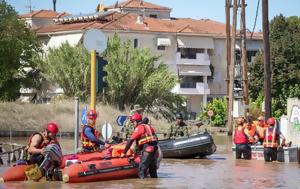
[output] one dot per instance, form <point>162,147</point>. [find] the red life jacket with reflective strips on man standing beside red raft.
<point>148,136</point>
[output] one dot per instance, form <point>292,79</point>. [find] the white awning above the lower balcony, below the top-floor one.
<point>194,70</point>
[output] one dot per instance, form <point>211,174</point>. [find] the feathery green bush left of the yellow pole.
<point>68,67</point>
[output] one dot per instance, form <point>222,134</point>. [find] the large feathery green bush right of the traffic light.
<point>136,76</point>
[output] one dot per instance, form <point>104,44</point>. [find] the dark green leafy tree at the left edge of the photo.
<point>18,45</point>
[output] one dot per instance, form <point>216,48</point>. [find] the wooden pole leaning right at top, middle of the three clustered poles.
<point>231,69</point>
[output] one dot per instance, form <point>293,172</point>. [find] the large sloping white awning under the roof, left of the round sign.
<point>57,41</point>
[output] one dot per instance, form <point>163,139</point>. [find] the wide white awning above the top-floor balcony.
<point>195,42</point>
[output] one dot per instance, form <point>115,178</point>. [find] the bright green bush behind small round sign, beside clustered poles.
<point>219,107</point>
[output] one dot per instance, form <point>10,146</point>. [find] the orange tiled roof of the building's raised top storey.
<point>138,4</point>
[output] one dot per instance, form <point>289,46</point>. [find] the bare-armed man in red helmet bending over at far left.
<point>38,141</point>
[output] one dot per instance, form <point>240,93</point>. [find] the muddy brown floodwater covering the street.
<point>220,170</point>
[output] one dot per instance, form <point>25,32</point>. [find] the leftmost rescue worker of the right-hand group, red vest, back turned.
<point>241,139</point>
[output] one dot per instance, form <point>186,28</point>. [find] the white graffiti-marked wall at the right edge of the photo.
<point>293,129</point>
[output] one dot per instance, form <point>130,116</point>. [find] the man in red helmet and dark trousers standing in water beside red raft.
<point>147,142</point>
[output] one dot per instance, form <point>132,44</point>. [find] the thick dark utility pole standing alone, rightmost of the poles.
<point>267,65</point>
